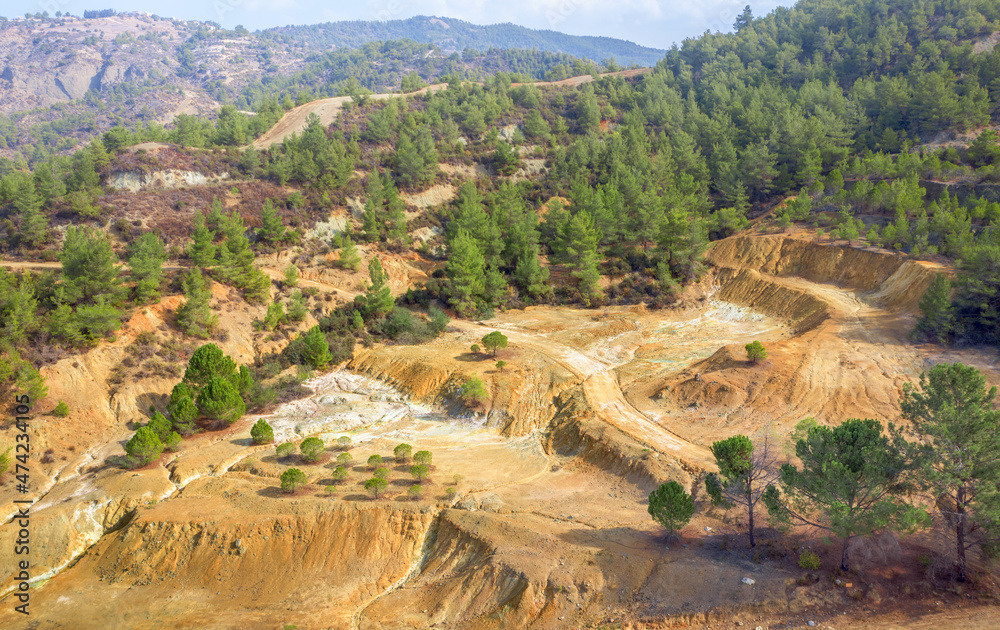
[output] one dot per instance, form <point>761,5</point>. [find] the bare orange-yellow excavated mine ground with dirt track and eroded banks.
<point>548,524</point>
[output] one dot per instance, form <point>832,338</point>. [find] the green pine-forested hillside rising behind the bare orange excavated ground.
<point>875,130</point>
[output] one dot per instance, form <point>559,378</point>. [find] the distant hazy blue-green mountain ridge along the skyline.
<point>457,35</point>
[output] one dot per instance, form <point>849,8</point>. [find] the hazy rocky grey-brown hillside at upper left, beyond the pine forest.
<point>63,80</point>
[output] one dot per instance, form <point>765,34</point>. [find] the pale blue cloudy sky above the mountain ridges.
<point>655,23</point>
